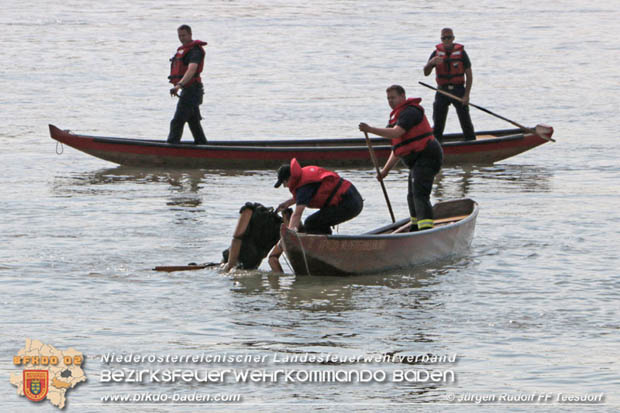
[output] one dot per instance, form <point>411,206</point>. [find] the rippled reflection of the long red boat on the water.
<point>186,188</point>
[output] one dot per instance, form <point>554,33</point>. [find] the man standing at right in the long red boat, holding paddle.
<point>453,75</point>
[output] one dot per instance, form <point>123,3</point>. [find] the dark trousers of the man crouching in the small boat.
<point>349,207</point>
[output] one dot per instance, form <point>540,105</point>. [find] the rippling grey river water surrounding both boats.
<point>529,309</point>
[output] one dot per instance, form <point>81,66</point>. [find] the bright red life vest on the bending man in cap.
<point>330,191</point>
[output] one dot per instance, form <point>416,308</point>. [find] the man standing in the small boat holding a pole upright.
<point>413,143</point>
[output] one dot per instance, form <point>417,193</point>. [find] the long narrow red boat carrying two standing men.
<point>489,147</point>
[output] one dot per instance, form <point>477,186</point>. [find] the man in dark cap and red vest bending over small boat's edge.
<point>336,198</point>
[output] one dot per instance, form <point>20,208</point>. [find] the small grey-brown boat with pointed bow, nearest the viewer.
<point>388,248</point>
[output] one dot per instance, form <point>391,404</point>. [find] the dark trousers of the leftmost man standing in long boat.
<point>188,112</point>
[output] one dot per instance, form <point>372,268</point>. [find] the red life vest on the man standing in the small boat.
<point>414,139</point>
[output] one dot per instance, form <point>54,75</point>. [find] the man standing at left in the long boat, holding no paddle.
<point>185,71</point>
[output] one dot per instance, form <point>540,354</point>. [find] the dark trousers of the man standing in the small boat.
<point>423,166</point>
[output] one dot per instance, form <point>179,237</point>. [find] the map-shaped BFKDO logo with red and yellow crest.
<point>47,373</point>
